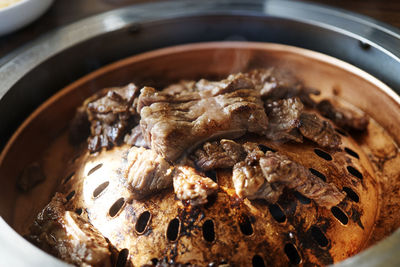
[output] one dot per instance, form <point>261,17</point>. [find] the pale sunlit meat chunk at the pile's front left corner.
<point>146,172</point>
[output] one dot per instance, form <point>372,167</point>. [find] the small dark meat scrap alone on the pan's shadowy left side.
<point>30,177</point>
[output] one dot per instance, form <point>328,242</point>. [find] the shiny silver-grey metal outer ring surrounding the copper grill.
<point>33,73</point>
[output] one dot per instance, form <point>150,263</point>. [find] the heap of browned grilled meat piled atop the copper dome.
<point>179,133</point>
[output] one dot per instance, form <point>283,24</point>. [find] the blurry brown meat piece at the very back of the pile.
<point>275,84</point>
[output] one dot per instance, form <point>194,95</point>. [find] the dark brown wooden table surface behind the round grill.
<point>66,11</point>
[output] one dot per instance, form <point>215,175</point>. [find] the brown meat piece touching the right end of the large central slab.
<point>284,118</point>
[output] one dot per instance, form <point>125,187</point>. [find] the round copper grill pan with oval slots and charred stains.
<point>293,231</point>
